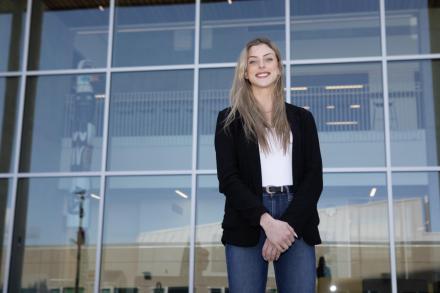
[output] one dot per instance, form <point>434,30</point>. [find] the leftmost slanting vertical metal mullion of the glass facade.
<point>11,220</point>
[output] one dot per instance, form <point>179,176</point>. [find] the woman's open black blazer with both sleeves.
<point>239,175</point>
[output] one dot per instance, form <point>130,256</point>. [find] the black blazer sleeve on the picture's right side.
<point>304,203</point>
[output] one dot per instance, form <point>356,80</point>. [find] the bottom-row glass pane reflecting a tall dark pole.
<point>54,241</point>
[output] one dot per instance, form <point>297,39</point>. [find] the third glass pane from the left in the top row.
<point>153,33</point>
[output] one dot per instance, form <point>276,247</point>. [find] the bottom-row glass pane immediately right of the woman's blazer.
<point>354,256</point>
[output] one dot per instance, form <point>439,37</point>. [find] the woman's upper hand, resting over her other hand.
<point>278,232</point>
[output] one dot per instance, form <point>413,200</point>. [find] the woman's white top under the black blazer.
<point>276,167</point>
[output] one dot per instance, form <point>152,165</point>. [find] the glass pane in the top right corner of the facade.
<point>412,26</point>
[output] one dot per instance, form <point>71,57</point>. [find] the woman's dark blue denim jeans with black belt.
<point>294,271</point>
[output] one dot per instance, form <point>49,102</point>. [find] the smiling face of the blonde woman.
<point>262,67</point>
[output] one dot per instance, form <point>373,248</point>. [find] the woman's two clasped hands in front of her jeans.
<point>279,237</point>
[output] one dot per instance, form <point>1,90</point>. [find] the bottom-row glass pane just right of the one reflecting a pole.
<point>146,233</point>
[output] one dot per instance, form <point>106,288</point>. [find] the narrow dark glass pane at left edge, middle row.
<point>8,120</point>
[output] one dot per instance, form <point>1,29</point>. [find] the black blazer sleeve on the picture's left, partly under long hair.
<point>237,193</point>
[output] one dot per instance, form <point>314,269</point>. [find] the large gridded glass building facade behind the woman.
<point>107,115</point>
